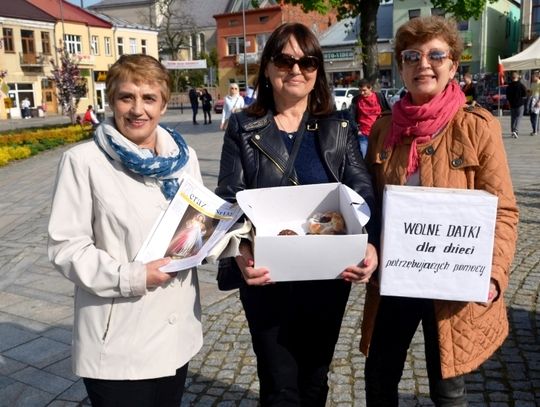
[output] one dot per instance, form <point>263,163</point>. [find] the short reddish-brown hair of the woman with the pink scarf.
<point>424,29</point>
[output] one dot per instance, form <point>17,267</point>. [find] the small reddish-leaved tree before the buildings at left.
<point>70,84</point>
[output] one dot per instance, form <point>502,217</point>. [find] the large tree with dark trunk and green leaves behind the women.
<point>367,10</point>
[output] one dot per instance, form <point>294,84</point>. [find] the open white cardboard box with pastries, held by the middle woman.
<point>305,257</point>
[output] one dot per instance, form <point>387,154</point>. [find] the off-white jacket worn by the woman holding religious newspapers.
<point>100,217</point>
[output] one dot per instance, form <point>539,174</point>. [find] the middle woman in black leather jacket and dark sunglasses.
<point>294,325</point>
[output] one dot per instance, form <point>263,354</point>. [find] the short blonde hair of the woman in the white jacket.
<point>138,68</point>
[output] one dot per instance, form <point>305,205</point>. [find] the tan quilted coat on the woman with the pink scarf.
<point>469,153</point>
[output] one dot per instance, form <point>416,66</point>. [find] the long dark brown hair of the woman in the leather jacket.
<point>320,99</point>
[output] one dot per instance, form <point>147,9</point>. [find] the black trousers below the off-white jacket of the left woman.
<point>158,392</point>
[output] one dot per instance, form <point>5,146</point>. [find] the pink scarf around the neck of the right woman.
<point>424,121</point>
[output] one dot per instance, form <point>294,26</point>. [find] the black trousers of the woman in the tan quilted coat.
<point>395,325</point>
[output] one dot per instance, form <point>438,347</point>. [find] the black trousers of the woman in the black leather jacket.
<point>294,329</point>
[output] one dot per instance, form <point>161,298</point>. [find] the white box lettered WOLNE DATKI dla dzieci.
<point>437,243</point>
